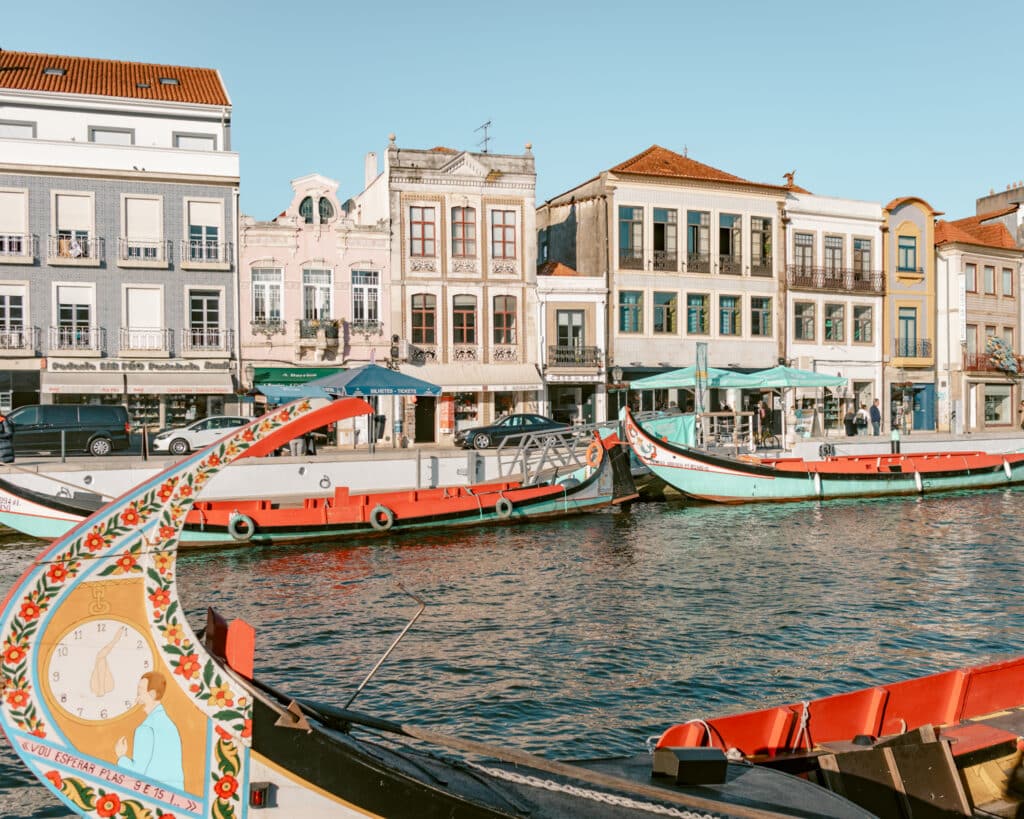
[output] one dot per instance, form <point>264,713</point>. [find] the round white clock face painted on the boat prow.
<point>95,670</point>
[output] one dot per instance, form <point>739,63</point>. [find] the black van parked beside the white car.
<point>99,429</point>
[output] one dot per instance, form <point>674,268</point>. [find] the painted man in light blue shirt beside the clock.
<point>156,745</point>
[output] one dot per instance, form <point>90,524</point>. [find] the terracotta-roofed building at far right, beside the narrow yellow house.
<point>978,268</point>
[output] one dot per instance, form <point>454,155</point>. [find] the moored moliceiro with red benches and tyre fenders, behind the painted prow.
<point>604,481</point>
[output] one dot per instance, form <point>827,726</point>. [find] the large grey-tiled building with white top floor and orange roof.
<point>118,211</point>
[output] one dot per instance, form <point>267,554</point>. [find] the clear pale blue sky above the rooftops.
<point>866,101</point>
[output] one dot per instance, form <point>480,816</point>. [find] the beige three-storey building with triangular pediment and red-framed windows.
<point>463,283</point>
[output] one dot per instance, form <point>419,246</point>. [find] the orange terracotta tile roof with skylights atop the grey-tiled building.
<point>26,72</point>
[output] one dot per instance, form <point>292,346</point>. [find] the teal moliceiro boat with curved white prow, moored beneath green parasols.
<point>707,477</point>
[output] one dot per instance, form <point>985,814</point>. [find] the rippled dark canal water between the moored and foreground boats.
<point>584,637</point>
